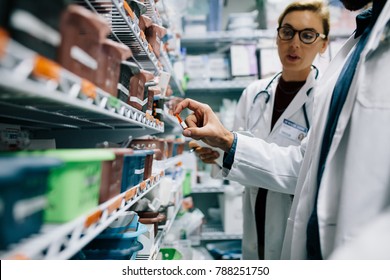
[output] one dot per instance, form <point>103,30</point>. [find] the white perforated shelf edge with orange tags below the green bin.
<point>65,240</point>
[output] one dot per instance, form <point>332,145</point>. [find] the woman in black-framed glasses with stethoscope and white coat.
<point>278,109</point>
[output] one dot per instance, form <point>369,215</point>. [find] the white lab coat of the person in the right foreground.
<point>354,196</point>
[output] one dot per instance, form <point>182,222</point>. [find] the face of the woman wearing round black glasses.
<point>296,56</point>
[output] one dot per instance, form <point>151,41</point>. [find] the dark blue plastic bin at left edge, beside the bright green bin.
<point>23,184</point>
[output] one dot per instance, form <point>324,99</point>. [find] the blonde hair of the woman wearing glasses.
<point>318,7</point>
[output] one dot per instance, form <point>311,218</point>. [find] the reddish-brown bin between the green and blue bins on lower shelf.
<point>112,173</point>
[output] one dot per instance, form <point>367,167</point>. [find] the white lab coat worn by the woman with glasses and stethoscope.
<point>255,116</point>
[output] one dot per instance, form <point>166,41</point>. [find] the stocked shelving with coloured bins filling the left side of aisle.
<point>91,161</point>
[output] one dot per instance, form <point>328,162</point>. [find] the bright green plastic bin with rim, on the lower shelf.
<point>74,187</point>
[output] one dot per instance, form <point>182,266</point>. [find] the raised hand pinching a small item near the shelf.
<point>203,124</point>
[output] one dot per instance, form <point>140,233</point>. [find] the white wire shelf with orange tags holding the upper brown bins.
<point>46,98</point>
